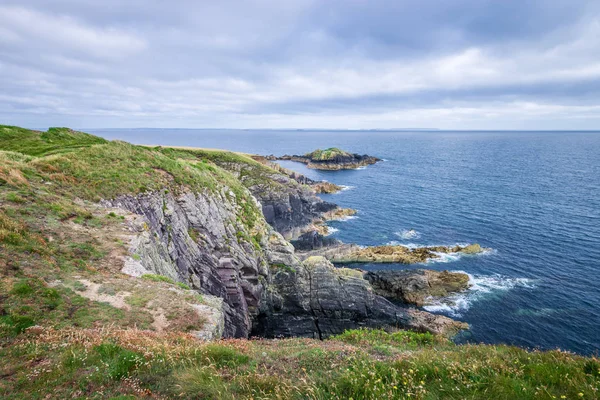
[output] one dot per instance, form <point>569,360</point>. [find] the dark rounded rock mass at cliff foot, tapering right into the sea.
<point>315,299</point>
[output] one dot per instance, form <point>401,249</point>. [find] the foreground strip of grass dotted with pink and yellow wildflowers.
<point>137,363</point>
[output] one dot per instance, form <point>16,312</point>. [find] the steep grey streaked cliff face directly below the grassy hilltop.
<point>197,238</point>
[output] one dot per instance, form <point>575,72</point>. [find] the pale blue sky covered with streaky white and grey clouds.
<point>335,64</point>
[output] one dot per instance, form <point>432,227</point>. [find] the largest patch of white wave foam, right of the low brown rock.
<point>481,285</point>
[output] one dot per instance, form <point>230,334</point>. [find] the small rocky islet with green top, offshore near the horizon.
<point>332,159</point>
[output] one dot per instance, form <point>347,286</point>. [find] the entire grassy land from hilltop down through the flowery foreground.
<point>87,349</point>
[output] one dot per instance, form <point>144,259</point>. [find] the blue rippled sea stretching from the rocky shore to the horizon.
<point>532,197</point>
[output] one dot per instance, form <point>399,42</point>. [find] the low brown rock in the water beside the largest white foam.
<point>418,285</point>
